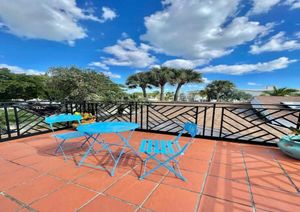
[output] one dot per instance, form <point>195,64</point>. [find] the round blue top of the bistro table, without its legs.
<point>107,127</point>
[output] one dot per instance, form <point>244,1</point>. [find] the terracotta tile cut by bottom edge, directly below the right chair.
<point>168,198</point>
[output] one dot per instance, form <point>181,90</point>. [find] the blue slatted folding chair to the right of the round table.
<point>169,150</point>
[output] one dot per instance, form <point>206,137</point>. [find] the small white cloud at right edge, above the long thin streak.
<point>276,43</point>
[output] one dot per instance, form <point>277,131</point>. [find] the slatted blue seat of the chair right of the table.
<point>165,147</point>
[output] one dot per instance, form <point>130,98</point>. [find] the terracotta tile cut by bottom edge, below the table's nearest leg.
<point>106,203</point>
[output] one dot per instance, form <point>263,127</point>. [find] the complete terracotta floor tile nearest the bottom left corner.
<point>35,189</point>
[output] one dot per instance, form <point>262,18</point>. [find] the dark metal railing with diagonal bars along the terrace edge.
<point>225,121</point>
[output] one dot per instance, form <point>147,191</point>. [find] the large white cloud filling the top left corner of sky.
<point>46,19</point>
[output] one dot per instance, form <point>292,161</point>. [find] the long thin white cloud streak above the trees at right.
<point>270,66</point>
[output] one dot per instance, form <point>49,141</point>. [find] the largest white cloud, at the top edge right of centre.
<point>195,29</point>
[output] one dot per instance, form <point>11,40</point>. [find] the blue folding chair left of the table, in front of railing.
<point>62,118</point>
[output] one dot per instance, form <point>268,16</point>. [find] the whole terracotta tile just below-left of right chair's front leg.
<point>131,189</point>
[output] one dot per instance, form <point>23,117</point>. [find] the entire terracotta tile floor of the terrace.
<point>221,176</point>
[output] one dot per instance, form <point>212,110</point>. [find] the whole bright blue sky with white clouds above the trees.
<point>253,43</point>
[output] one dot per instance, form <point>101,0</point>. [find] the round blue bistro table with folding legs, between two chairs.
<point>96,130</point>
